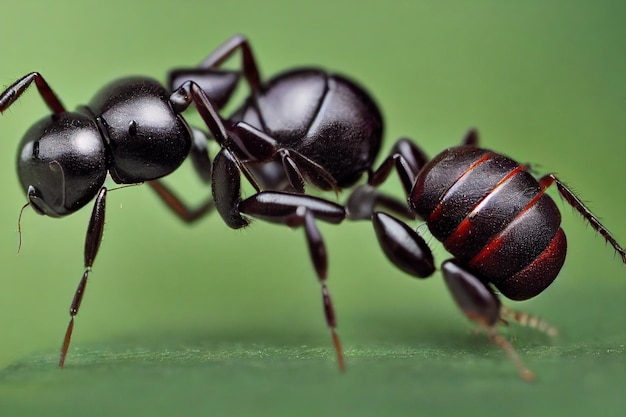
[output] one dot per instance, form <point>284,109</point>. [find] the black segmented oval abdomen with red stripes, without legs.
<point>493,216</point>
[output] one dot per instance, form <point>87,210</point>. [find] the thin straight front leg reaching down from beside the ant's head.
<point>92,244</point>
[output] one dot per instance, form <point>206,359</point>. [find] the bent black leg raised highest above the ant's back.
<point>218,83</point>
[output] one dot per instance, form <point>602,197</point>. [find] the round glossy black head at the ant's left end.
<point>61,163</point>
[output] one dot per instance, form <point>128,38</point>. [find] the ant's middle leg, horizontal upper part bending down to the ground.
<point>297,210</point>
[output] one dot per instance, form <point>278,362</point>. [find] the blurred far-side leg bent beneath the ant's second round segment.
<point>202,165</point>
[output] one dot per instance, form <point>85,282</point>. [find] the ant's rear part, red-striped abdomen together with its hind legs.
<point>494,217</point>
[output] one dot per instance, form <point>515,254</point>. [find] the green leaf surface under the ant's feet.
<point>263,380</point>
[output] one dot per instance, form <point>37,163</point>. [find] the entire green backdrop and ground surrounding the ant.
<point>204,320</point>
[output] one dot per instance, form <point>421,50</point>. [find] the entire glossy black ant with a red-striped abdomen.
<point>302,126</point>
